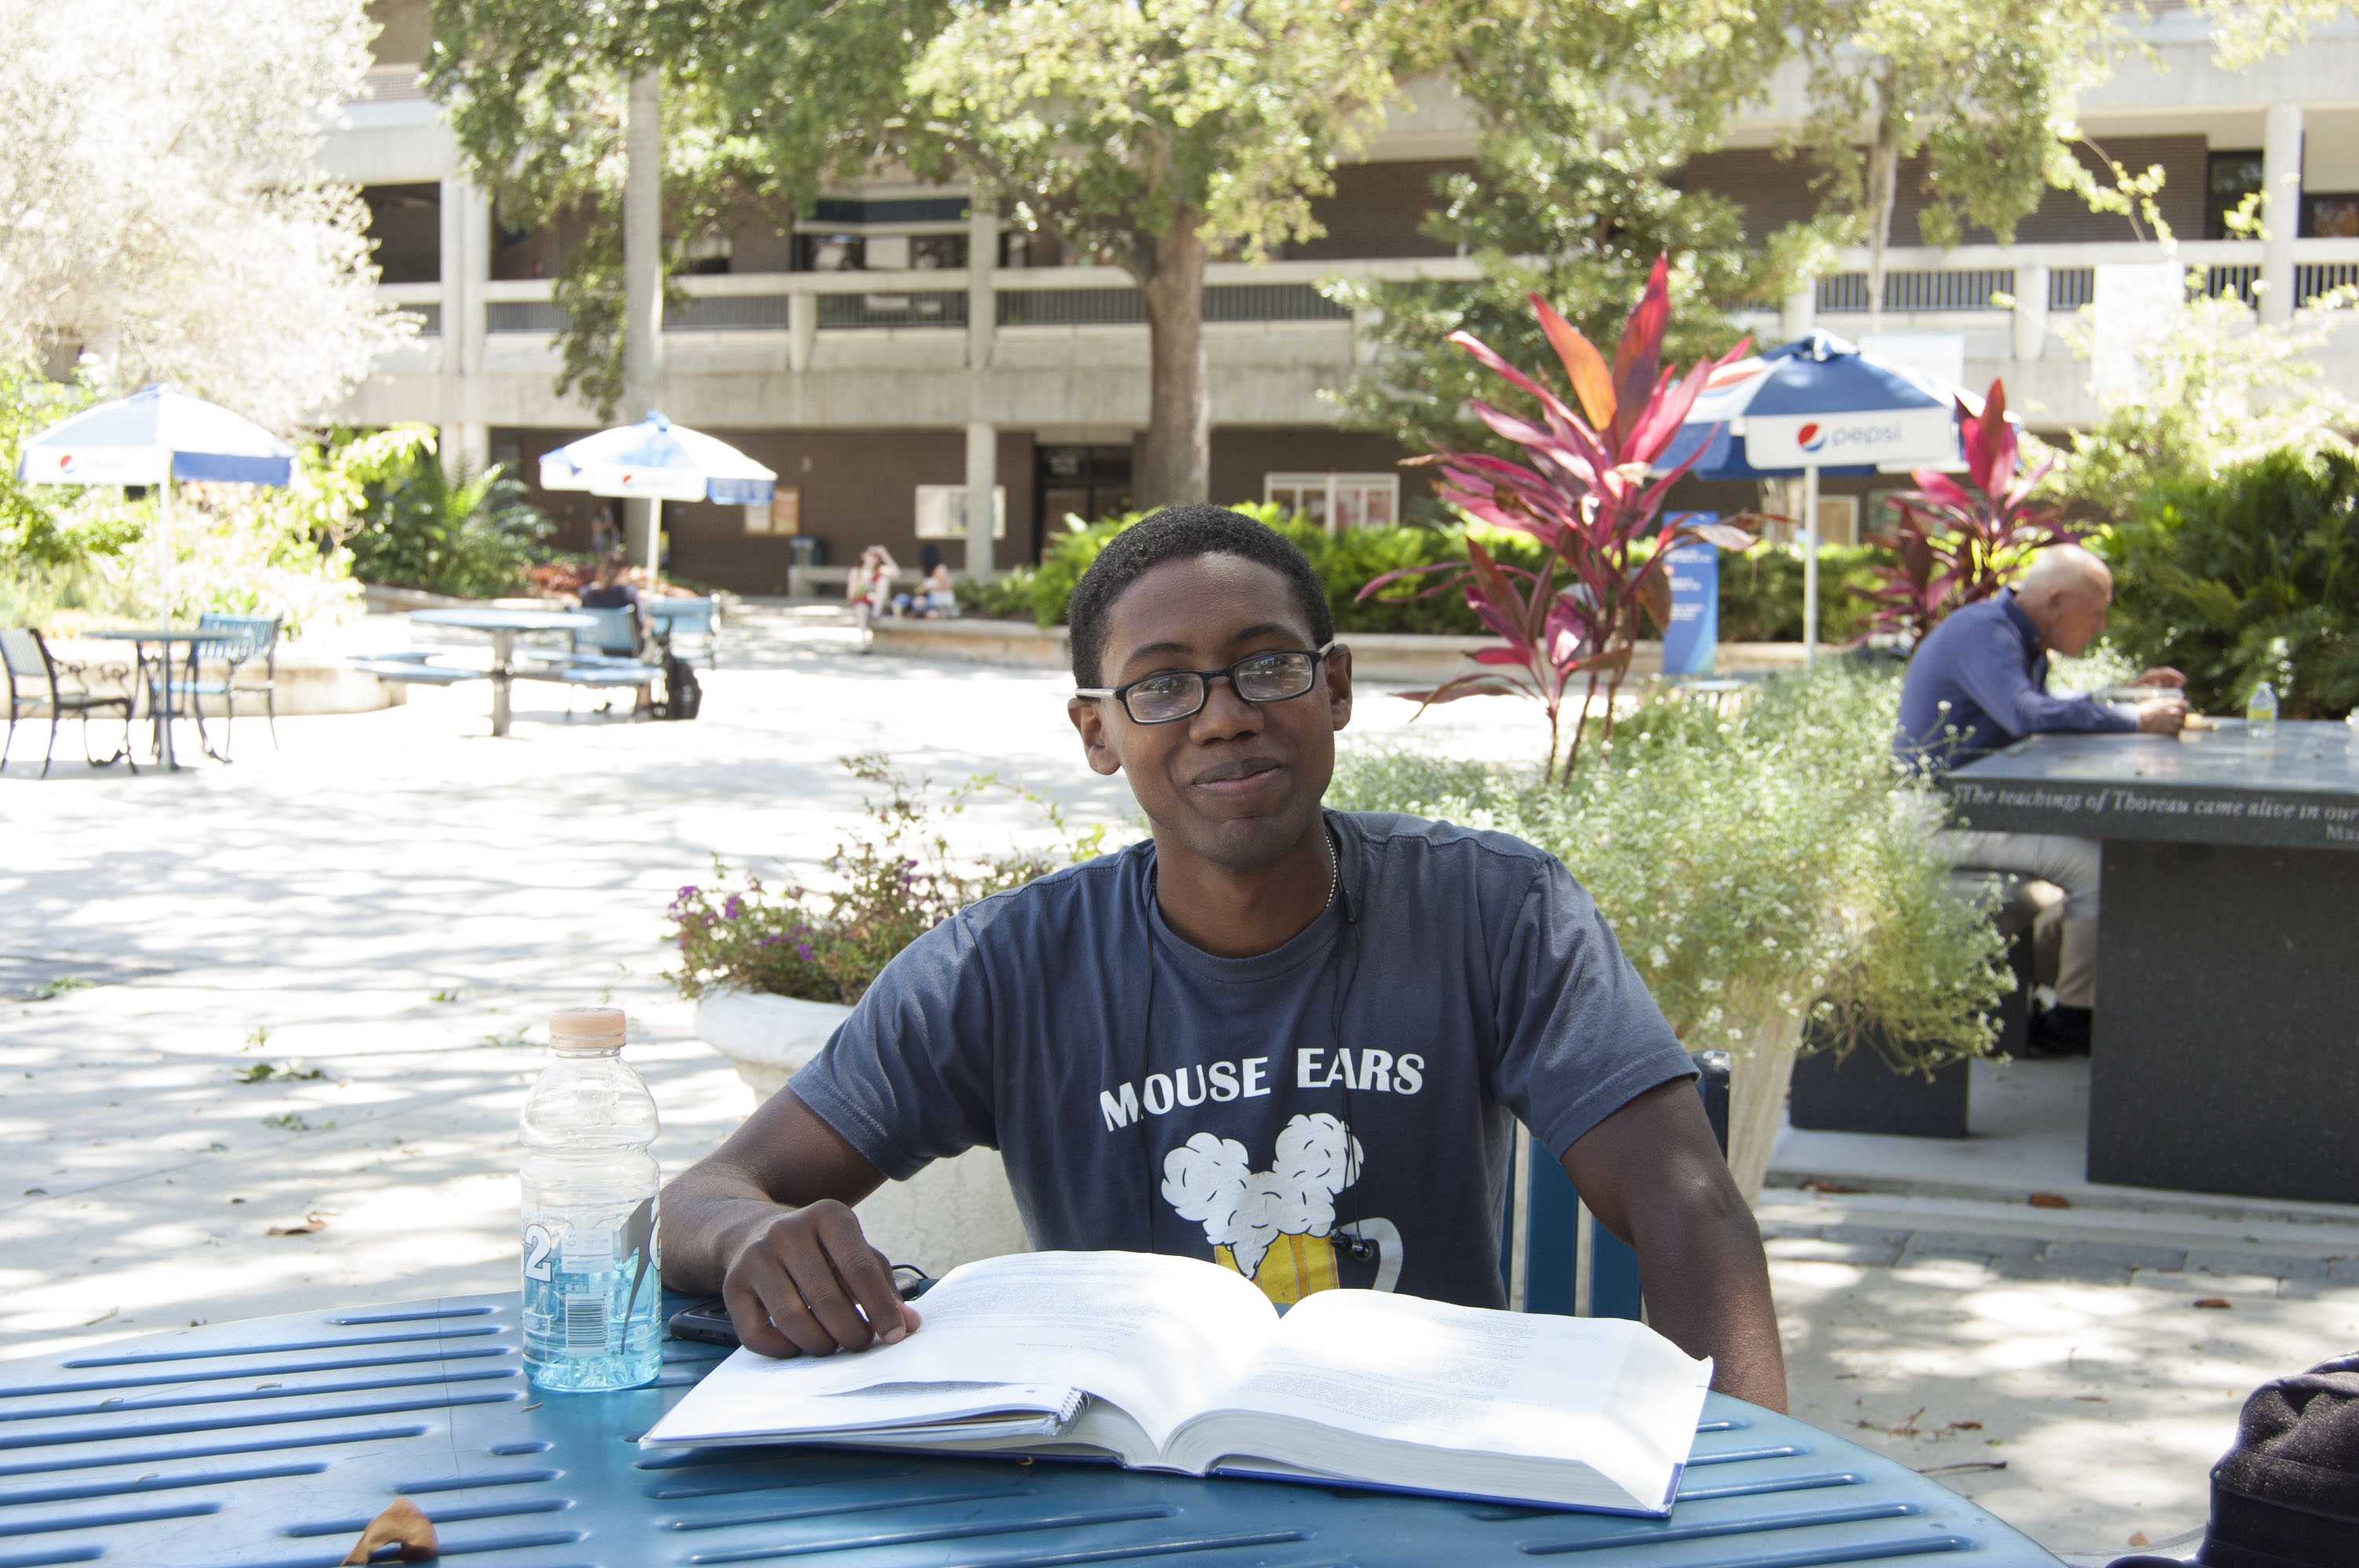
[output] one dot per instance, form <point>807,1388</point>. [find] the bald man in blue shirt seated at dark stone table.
<point>1978,683</point>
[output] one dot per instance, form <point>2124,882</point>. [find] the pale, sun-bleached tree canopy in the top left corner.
<point>162,204</point>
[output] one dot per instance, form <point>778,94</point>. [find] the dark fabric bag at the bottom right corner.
<point>2287,1496</point>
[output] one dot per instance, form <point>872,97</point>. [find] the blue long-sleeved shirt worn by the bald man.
<point>1985,676</point>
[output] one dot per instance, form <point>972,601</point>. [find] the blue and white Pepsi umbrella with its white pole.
<point>1818,407</point>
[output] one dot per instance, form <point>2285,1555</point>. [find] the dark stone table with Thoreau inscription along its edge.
<point>2228,958</point>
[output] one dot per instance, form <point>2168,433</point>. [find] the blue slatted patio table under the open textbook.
<point>272,1444</point>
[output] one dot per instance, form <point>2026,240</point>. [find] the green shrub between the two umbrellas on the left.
<point>471,536</point>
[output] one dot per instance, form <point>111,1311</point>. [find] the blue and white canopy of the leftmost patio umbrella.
<point>155,437</point>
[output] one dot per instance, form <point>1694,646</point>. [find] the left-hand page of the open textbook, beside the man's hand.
<point>1155,1336</point>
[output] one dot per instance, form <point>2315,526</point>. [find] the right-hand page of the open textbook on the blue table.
<point>1601,1392</point>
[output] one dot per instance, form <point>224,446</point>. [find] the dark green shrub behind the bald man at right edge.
<point>2242,577</point>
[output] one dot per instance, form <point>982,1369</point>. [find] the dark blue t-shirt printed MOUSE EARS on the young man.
<point>1261,1112</point>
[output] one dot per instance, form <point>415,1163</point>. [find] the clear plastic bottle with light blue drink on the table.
<point>591,1263</point>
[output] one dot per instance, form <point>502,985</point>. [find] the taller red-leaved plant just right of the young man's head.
<point>1584,494</point>
